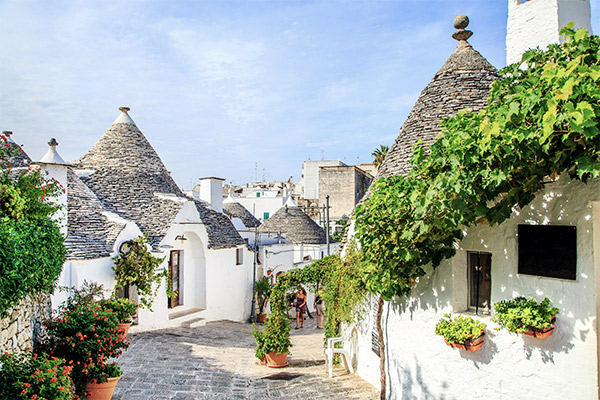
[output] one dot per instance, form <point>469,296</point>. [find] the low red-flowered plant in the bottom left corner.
<point>28,375</point>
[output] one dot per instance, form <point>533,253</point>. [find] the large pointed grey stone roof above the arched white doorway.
<point>130,179</point>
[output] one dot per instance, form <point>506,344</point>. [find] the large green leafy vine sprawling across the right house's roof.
<point>541,120</point>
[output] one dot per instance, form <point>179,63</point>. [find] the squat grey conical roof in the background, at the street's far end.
<point>297,226</point>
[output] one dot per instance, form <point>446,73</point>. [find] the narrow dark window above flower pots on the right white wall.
<point>480,281</point>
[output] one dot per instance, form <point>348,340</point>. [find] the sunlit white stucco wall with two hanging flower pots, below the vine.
<point>509,366</point>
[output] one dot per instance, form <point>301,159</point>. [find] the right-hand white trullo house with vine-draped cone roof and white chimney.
<point>486,267</point>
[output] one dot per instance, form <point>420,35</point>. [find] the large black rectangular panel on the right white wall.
<point>548,250</point>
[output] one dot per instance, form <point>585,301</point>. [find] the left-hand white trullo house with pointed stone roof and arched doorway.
<point>120,190</point>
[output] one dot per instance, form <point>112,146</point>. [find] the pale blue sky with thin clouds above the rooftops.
<point>220,86</point>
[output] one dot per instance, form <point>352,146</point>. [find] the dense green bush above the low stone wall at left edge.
<point>32,252</point>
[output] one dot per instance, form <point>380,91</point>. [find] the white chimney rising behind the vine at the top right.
<point>538,23</point>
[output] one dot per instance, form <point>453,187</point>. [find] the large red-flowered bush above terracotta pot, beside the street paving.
<point>85,337</point>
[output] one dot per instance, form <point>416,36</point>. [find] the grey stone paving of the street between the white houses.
<point>217,362</point>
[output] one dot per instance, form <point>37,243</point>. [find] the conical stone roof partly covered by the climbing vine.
<point>462,83</point>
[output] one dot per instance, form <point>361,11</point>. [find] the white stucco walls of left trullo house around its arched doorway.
<point>210,279</point>
